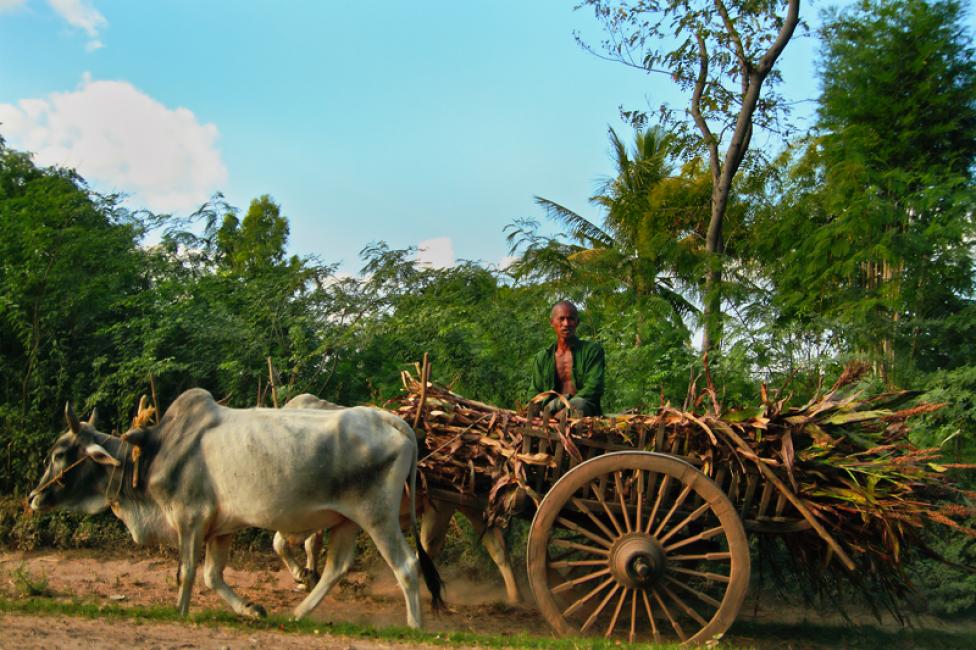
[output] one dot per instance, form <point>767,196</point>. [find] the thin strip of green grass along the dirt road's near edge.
<point>48,607</point>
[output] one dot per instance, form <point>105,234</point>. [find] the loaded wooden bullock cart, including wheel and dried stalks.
<point>640,524</point>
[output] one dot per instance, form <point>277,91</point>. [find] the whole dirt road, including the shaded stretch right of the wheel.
<point>128,578</point>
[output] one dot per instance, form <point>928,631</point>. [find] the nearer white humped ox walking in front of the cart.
<point>207,471</point>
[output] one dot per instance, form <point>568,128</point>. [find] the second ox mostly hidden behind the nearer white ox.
<point>433,527</point>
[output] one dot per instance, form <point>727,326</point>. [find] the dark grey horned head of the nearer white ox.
<point>75,476</point>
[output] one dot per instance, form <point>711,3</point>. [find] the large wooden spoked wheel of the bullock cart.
<point>641,546</point>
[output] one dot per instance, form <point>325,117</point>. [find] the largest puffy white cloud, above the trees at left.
<point>121,139</point>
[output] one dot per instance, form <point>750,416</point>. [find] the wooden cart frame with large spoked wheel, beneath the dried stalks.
<point>638,541</point>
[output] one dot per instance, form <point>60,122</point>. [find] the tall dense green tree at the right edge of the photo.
<point>873,229</point>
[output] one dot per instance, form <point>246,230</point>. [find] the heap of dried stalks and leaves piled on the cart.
<point>837,476</point>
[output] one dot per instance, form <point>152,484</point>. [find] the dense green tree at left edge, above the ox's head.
<point>68,260</point>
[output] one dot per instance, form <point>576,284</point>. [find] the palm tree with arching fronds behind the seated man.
<point>640,246</point>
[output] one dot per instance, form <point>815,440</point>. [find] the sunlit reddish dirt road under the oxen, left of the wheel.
<point>366,598</point>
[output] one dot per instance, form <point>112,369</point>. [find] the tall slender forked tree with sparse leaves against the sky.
<point>722,52</point>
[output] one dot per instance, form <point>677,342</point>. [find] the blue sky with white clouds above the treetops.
<point>424,122</point>
